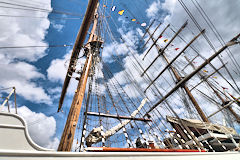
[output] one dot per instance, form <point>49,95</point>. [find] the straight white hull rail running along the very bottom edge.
<point>46,155</point>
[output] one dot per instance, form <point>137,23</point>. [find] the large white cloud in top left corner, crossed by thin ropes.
<point>24,32</point>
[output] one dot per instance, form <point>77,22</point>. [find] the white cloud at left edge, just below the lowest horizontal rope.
<point>22,75</point>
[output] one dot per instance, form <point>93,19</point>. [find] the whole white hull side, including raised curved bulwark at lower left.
<point>16,144</point>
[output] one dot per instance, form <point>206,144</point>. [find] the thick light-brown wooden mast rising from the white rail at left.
<point>73,116</point>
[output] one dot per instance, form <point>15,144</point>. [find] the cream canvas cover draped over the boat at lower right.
<point>203,125</point>
